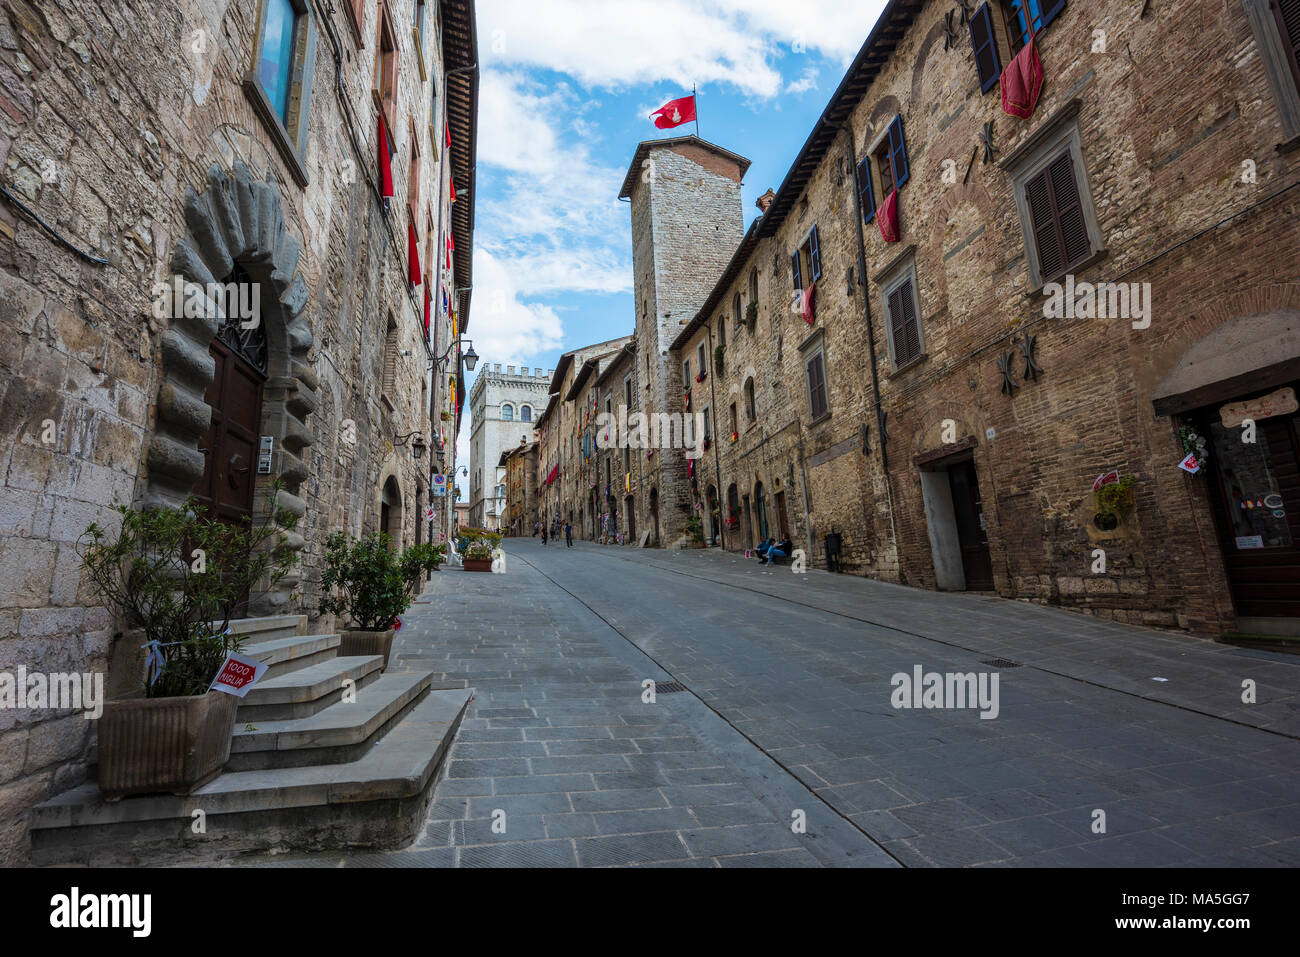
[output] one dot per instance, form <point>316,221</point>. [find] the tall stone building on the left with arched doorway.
<point>203,145</point>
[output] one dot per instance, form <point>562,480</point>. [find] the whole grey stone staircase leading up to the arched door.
<point>328,754</point>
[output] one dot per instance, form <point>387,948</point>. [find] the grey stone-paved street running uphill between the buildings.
<point>786,708</point>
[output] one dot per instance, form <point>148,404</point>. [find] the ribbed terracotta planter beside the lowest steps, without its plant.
<point>164,744</point>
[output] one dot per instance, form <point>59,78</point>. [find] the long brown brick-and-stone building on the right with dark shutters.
<point>948,401</point>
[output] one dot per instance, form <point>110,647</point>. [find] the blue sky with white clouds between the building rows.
<point>566,92</point>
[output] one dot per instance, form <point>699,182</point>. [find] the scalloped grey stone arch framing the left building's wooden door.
<point>236,222</point>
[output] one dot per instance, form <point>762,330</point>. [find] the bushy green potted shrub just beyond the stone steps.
<point>370,586</point>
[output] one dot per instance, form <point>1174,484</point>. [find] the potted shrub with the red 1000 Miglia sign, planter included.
<point>176,578</point>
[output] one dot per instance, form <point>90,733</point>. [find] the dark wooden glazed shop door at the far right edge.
<point>1256,493</point>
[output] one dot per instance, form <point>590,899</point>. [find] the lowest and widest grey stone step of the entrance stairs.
<point>378,802</point>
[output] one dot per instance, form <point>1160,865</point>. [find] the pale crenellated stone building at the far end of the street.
<point>502,406</point>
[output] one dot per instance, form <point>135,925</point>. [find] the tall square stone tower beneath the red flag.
<point>687,222</point>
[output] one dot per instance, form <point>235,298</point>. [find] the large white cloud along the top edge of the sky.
<point>618,45</point>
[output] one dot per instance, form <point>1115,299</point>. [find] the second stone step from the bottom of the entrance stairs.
<point>343,733</point>
